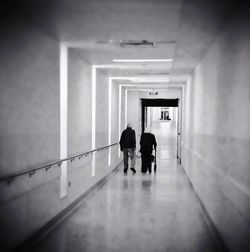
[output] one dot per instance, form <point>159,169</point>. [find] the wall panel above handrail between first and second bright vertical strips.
<point>79,104</point>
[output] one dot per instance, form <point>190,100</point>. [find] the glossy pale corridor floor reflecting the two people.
<point>152,212</point>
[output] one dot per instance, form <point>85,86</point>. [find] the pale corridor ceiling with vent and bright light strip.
<point>182,30</point>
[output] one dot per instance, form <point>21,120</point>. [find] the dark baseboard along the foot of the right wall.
<point>220,243</point>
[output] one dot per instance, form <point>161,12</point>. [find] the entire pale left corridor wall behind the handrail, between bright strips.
<point>30,129</point>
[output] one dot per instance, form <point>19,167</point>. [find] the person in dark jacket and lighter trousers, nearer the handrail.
<point>127,146</point>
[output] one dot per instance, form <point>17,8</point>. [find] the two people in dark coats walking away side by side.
<point>128,147</point>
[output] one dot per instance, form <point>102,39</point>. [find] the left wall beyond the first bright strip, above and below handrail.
<point>81,173</point>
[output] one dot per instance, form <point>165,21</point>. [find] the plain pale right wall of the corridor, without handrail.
<point>216,140</point>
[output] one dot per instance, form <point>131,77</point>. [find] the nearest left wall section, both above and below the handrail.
<point>29,127</point>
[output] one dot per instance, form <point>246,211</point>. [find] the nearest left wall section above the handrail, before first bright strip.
<point>29,98</point>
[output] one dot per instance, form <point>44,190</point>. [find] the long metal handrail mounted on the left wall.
<point>11,177</point>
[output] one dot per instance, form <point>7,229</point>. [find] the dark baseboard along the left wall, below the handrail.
<point>42,232</point>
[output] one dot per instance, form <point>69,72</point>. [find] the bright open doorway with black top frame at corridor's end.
<point>163,117</point>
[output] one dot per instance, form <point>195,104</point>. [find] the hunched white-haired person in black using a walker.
<point>147,142</point>
